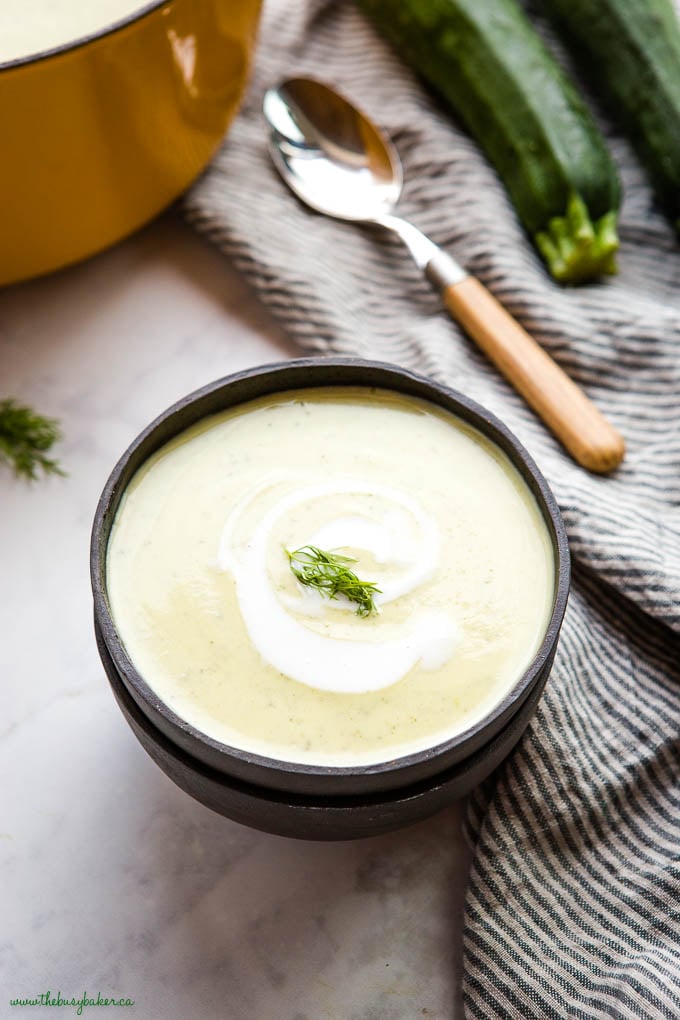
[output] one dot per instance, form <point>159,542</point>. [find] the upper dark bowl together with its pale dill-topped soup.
<point>329,579</point>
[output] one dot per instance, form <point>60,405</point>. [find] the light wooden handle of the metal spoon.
<point>562,405</point>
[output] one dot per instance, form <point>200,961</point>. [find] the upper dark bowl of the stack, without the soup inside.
<point>290,778</point>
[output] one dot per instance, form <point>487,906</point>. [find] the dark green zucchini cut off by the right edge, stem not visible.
<point>633,53</point>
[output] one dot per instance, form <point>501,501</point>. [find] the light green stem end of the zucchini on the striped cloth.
<point>577,249</point>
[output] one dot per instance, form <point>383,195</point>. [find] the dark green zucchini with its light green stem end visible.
<point>488,62</point>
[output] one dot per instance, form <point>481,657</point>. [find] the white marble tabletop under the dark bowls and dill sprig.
<point>113,880</point>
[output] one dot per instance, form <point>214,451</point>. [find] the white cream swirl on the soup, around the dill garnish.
<point>323,660</point>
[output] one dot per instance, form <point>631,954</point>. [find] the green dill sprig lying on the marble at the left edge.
<point>26,439</point>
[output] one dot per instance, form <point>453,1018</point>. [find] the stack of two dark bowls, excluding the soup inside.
<point>294,795</point>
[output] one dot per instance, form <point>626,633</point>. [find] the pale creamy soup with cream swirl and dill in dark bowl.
<point>231,540</point>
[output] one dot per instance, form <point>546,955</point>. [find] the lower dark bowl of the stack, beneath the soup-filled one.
<point>320,818</point>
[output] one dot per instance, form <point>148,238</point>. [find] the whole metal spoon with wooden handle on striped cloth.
<point>337,162</point>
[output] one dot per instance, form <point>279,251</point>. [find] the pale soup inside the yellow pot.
<point>29,27</point>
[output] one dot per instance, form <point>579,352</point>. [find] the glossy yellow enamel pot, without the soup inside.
<point>103,133</point>
